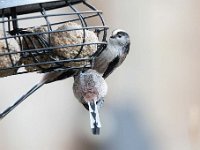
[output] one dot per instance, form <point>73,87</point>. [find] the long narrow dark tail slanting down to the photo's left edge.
<point>21,99</point>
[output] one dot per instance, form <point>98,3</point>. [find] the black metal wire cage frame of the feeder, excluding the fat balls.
<point>13,12</point>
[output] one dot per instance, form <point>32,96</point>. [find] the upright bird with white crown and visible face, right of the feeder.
<point>113,54</point>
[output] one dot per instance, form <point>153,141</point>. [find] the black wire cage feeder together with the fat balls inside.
<point>21,39</point>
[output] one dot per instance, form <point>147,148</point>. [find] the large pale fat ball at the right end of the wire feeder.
<point>73,37</point>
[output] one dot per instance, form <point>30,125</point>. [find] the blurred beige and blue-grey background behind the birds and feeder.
<point>153,101</point>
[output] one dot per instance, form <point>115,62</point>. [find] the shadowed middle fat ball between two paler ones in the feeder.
<point>35,42</point>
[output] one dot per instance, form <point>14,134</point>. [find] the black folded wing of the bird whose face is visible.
<point>112,65</point>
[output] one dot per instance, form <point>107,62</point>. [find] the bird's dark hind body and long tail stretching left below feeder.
<point>47,78</point>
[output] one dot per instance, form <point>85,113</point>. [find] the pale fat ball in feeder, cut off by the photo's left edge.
<point>8,60</point>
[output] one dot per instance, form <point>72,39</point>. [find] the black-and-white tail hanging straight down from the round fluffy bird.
<point>95,123</point>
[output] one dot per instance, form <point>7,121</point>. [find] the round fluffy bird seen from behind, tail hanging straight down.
<point>90,89</point>
